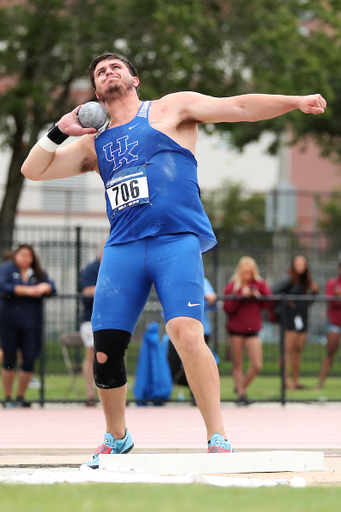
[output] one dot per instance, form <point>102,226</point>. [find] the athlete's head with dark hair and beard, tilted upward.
<point>113,80</point>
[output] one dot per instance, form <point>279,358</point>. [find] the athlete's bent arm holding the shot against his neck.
<point>42,164</point>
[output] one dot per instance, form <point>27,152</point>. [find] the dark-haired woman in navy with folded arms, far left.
<point>24,283</point>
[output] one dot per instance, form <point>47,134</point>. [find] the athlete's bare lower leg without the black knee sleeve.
<point>187,336</point>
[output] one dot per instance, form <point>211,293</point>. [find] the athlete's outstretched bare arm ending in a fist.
<point>248,107</point>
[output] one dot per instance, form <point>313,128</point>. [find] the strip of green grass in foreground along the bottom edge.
<point>165,498</point>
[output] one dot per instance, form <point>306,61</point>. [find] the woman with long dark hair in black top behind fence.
<point>298,281</point>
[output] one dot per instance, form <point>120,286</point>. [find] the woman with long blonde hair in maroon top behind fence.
<point>245,321</point>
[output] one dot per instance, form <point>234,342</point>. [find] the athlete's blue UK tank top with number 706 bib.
<point>151,184</point>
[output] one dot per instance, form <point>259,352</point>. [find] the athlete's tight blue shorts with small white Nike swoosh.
<point>173,263</point>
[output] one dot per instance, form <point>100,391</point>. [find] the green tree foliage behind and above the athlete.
<point>217,47</point>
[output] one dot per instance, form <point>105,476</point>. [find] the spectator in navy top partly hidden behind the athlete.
<point>88,284</point>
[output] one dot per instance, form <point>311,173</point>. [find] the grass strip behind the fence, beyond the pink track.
<point>267,386</point>
